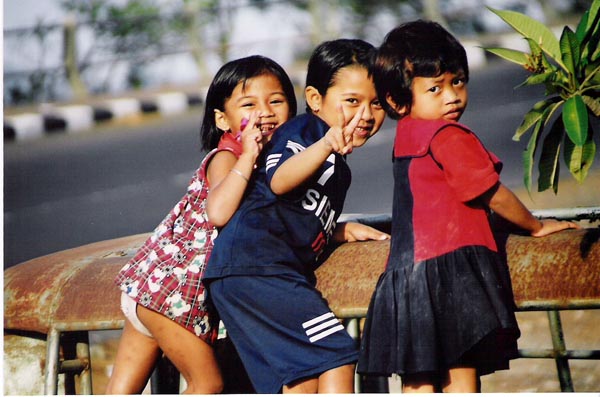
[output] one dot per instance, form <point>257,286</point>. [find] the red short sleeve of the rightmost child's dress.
<point>469,168</point>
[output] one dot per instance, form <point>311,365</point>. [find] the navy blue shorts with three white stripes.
<point>282,328</point>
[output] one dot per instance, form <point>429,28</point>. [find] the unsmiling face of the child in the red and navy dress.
<point>442,97</point>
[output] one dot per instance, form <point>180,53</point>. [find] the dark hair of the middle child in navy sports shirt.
<point>331,56</point>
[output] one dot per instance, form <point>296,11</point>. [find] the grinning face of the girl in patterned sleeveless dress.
<point>263,94</point>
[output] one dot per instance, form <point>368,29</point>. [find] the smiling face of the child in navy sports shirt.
<point>352,88</point>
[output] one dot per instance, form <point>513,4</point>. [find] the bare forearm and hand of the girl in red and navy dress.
<point>506,204</point>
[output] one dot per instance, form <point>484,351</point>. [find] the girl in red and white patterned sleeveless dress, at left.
<point>164,299</point>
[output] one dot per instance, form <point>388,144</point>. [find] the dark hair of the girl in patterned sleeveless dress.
<point>227,78</point>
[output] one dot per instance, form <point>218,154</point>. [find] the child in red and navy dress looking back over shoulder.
<point>442,313</point>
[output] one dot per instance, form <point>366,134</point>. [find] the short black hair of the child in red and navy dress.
<point>414,49</point>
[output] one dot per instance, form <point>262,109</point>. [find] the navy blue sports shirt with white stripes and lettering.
<point>272,234</point>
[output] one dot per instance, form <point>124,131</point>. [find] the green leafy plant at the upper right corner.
<point>569,68</point>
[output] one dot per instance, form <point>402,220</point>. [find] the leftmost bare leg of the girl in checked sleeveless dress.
<point>136,356</point>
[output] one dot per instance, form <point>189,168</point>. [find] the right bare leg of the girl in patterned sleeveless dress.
<point>193,357</point>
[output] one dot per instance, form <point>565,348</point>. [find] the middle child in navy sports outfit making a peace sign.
<point>260,275</point>
